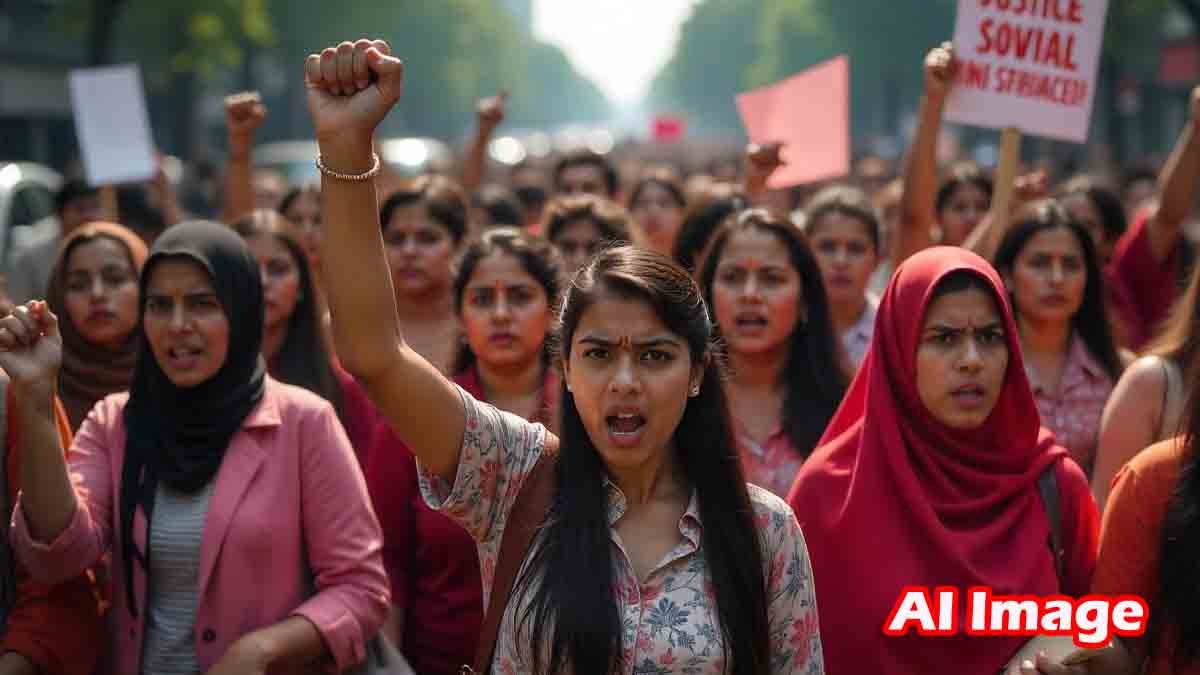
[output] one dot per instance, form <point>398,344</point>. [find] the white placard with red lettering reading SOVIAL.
<point>1028,64</point>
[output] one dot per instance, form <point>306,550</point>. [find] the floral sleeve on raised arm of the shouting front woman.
<point>499,452</point>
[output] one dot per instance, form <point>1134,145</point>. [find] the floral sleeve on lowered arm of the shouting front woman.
<point>791,595</point>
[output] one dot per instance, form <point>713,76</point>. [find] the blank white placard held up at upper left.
<point>112,124</point>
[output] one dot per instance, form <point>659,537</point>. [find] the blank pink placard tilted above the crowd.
<point>809,114</point>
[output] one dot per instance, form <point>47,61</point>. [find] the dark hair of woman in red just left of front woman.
<point>537,258</point>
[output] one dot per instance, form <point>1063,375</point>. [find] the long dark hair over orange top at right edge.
<point>1177,607</point>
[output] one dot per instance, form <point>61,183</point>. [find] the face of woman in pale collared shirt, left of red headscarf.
<point>847,255</point>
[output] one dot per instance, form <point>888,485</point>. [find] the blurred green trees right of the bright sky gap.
<point>730,46</point>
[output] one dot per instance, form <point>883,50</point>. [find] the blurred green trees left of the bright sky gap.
<point>455,52</point>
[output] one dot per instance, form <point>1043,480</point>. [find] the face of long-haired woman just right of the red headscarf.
<point>1049,277</point>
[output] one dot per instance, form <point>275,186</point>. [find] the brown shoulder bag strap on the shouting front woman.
<point>529,513</point>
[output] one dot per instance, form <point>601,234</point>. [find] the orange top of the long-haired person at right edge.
<point>1132,533</point>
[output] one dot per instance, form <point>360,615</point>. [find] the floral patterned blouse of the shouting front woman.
<point>670,624</point>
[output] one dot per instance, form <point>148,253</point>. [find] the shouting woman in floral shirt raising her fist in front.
<point>652,553</point>
